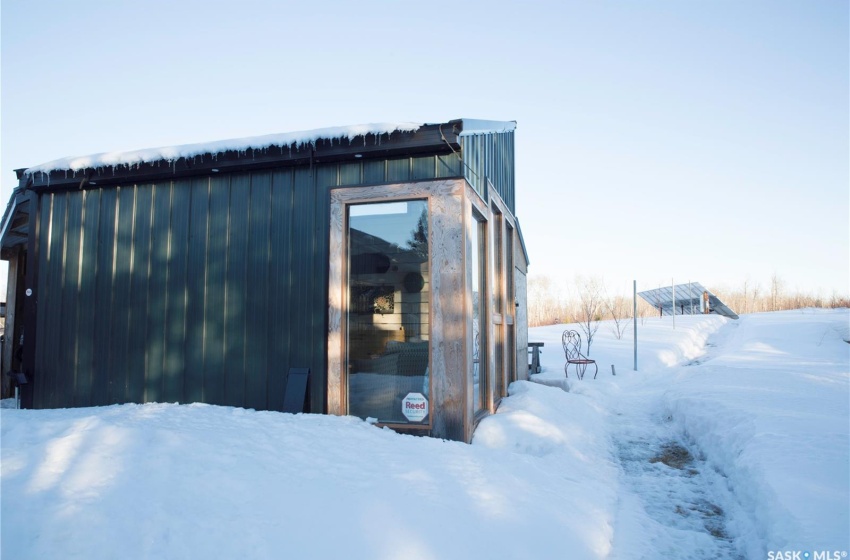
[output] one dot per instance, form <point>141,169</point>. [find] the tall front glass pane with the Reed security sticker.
<point>387,321</point>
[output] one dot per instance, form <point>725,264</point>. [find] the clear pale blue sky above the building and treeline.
<point>700,140</point>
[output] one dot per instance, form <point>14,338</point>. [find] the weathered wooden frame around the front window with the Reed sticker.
<point>446,244</point>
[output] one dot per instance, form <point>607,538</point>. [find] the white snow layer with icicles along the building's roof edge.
<point>173,153</point>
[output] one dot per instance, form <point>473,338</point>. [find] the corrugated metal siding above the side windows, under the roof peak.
<point>490,157</point>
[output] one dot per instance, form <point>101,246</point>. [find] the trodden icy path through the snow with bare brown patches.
<point>672,503</point>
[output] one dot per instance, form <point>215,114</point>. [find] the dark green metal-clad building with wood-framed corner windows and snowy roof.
<point>207,273</point>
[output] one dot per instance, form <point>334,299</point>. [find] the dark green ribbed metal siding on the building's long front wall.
<point>205,289</point>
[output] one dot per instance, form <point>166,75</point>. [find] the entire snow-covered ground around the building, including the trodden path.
<point>732,441</point>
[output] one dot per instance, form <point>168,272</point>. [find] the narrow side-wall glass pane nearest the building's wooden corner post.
<point>477,263</point>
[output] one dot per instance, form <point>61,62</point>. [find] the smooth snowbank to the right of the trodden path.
<point>770,410</point>
